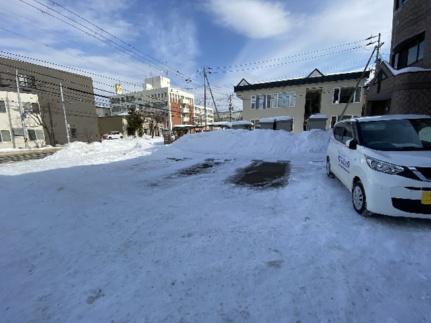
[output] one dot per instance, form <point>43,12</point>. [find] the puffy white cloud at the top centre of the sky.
<point>252,18</point>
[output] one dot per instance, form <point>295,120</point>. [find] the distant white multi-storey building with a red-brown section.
<point>160,99</point>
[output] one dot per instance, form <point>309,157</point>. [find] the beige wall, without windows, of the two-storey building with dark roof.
<point>297,113</point>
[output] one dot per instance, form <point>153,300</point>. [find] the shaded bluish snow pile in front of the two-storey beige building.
<point>261,144</point>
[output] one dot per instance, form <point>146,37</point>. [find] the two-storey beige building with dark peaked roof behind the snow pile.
<point>301,98</point>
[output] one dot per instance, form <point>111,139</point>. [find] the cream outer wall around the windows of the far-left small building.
<point>11,119</point>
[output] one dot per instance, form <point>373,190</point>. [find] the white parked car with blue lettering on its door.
<point>385,162</point>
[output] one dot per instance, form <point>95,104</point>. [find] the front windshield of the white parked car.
<point>396,135</point>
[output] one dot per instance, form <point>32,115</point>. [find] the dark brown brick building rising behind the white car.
<point>403,85</point>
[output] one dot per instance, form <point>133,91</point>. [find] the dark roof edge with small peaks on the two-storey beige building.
<point>312,78</point>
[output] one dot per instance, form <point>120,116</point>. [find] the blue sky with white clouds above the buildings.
<point>186,35</point>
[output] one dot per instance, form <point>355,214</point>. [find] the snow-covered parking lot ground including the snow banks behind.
<point>113,232</point>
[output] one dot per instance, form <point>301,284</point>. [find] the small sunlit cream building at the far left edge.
<point>17,132</point>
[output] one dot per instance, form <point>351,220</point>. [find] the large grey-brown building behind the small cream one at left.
<point>45,83</point>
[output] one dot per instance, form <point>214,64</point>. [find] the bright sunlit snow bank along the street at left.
<point>79,154</point>
